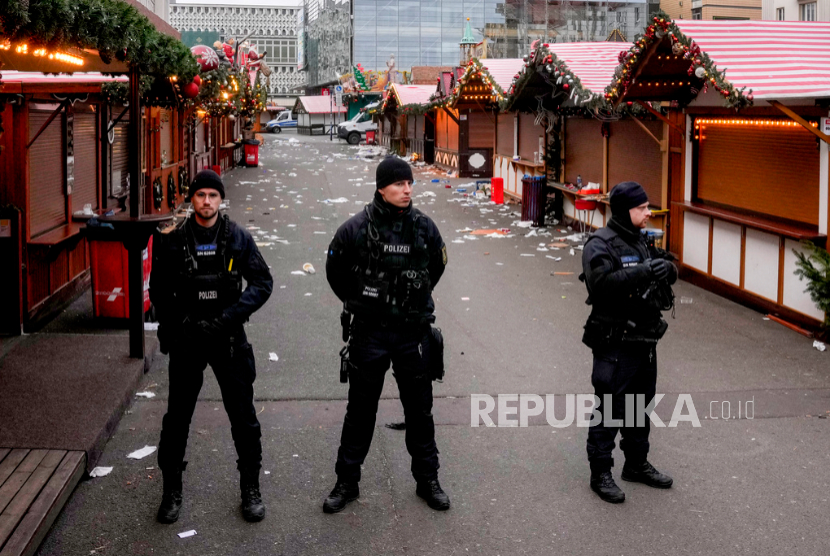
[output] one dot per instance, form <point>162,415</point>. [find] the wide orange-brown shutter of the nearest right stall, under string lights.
<point>750,168</point>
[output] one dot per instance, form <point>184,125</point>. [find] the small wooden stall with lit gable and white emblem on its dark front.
<point>465,115</point>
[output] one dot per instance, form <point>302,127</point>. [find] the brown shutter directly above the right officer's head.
<point>634,156</point>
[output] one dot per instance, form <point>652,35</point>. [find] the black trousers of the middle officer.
<point>372,348</point>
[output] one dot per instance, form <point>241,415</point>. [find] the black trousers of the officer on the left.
<point>234,367</point>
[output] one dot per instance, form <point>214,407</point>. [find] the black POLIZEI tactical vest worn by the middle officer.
<point>391,272</point>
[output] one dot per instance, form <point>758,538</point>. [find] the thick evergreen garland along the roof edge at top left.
<point>114,28</point>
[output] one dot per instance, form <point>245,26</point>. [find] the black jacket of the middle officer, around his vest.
<point>347,255</point>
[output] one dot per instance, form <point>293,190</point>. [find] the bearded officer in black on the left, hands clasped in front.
<point>196,288</point>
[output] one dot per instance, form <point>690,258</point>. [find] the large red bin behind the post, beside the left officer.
<point>109,266</point>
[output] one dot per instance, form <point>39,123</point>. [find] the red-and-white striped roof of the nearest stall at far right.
<point>776,59</point>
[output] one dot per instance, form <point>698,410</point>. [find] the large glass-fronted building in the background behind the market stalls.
<point>342,33</point>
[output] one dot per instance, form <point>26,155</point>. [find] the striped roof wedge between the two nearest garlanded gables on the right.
<point>592,62</point>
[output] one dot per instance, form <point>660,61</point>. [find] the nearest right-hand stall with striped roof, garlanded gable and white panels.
<point>752,179</point>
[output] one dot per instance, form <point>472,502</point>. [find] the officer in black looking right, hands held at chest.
<point>629,284</point>
